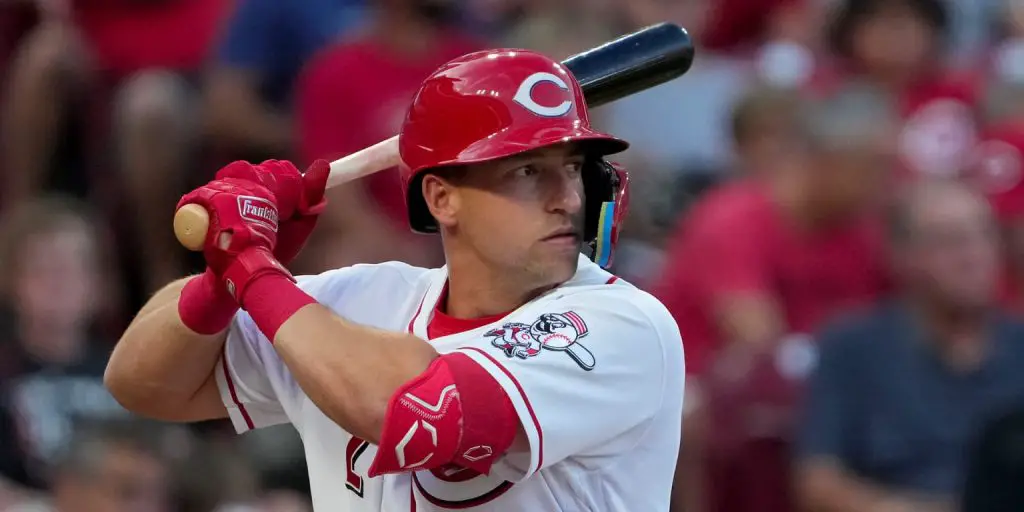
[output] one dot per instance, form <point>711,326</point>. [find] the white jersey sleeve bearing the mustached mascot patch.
<point>586,378</point>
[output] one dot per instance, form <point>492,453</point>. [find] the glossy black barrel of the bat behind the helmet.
<point>633,63</point>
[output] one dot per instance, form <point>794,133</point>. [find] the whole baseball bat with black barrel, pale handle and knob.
<point>615,70</point>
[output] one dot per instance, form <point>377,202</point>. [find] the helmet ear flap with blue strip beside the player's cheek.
<point>607,187</point>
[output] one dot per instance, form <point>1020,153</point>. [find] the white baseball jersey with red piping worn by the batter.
<point>594,370</point>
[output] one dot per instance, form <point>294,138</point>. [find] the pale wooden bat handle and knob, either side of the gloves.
<point>193,222</point>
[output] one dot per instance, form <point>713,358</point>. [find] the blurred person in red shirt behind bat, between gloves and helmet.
<point>355,95</point>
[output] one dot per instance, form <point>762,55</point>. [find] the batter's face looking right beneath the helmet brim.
<point>526,215</point>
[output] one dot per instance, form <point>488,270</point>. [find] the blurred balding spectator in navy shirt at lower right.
<point>903,390</point>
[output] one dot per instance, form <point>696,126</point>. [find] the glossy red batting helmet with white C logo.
<point>491,105</point>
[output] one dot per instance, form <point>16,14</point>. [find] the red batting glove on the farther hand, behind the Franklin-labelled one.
<point>301,198</point>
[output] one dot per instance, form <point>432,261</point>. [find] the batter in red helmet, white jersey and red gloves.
<point>520,376</point>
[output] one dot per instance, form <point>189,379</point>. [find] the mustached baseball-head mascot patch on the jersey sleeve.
<point>559,332</point>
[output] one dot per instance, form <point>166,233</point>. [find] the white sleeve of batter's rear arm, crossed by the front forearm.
<point>255,386</point>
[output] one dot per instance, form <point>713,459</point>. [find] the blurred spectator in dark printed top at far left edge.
<point>55,289</point>
